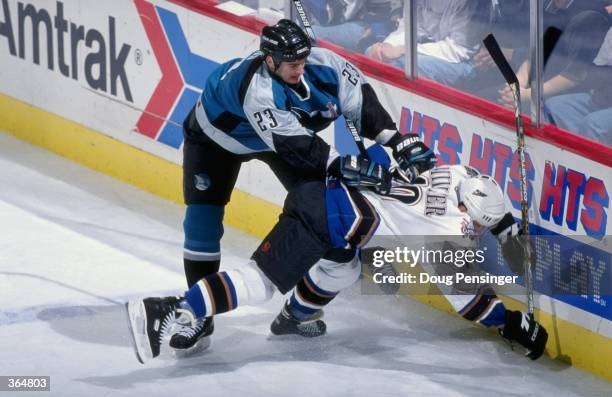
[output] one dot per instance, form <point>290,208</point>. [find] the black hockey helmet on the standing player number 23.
<point>285,42</point>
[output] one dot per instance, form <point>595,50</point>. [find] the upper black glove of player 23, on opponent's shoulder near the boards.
<point>412,156</point>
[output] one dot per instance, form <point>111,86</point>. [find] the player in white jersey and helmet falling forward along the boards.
<point>317,217</point>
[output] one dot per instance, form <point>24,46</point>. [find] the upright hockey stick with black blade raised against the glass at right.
<point>506,70</point>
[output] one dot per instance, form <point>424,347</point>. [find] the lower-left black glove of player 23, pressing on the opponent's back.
<point>359,171</point>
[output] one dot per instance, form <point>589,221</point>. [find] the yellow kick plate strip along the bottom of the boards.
<point>580,347</point>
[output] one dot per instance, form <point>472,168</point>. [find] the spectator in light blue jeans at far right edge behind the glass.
<point>588,113</point>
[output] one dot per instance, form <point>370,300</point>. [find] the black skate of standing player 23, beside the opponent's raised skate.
<point>192,337</point>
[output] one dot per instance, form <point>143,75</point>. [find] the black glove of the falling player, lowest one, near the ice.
<point>522,328</point>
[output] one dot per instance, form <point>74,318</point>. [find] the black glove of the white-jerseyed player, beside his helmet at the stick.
<point>513,244</point>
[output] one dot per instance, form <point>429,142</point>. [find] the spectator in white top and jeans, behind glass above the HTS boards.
<point>449,34</point>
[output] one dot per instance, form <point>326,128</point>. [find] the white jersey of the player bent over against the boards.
<point>411,216</point>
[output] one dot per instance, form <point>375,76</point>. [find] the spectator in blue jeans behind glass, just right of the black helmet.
<point>353,24</point>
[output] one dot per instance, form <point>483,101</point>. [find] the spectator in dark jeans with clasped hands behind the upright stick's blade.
<point>584,25</point>
